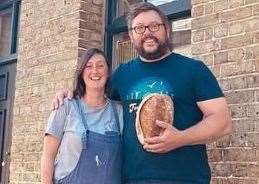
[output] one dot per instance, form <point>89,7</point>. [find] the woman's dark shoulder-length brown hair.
<point>79,83</point>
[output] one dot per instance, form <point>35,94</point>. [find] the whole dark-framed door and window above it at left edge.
<point>9,10</point>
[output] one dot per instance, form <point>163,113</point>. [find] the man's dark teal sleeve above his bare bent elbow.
<point>206,85</point>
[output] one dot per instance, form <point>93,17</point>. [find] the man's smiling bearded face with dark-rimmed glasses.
<point>151,44</point>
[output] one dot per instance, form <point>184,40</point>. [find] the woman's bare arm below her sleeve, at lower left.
<point>50,149</point>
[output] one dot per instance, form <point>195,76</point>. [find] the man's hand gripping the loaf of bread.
<point>170,139</point>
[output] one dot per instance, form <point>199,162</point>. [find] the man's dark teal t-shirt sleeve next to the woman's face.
<point>113,85</point>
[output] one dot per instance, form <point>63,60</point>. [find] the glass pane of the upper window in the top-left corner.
<point>5,32</point>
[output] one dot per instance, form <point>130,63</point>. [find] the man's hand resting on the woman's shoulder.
<point>58,100</point>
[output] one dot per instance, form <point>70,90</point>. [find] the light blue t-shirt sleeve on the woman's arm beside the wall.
<point>56,122</point>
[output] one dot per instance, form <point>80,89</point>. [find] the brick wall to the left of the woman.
<point>50,37</point>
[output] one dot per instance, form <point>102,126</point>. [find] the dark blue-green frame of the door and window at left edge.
<point>8,61</point>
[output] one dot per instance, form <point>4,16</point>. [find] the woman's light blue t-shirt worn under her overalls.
<point>66,125</point>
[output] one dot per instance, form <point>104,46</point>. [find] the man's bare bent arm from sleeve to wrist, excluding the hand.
<point>215,124</point>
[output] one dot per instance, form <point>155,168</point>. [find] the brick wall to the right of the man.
<point>225,36</point>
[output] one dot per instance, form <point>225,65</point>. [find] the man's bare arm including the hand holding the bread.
<point>216,123</point>
